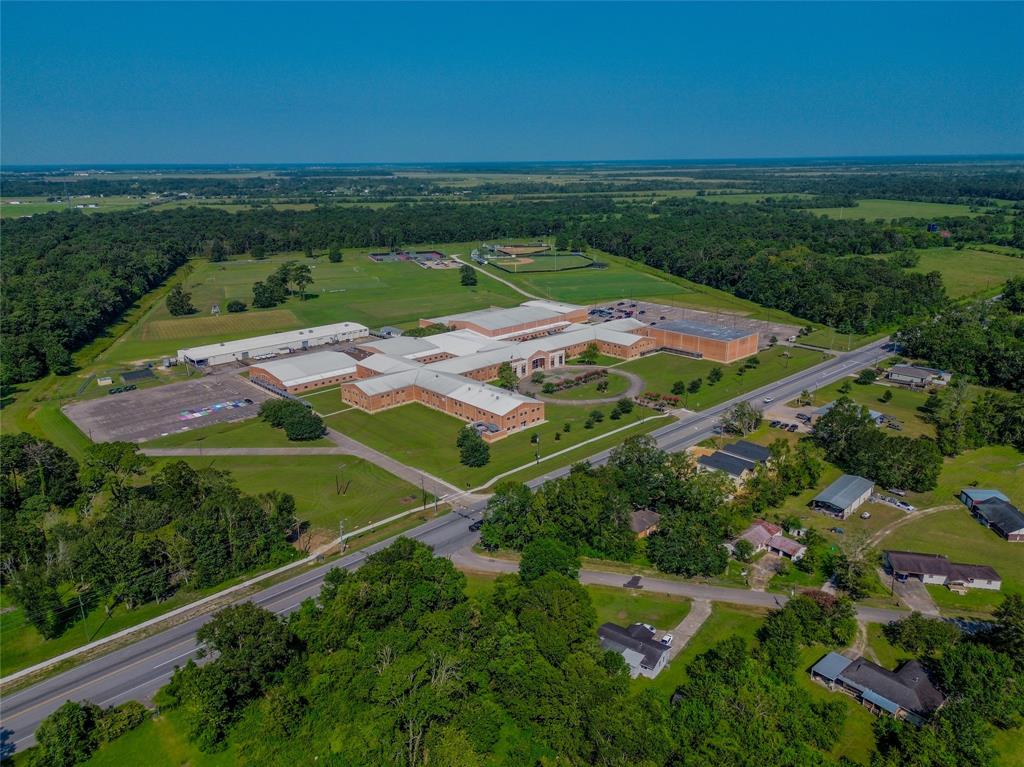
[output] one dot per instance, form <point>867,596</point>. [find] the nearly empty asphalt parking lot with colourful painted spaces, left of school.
<point>148,414</point>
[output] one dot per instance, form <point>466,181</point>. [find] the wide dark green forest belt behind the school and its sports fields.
<point>68,276</point>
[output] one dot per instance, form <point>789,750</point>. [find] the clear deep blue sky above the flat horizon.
<point>390,82</point>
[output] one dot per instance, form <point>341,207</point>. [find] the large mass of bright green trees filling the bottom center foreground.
<point>395,665</point>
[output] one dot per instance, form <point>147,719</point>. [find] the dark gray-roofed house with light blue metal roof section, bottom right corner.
<point>907,694</point>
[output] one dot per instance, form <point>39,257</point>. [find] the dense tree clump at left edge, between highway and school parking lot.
<point>76,537</point>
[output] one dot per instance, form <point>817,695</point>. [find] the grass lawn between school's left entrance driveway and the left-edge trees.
<point>369,493</point>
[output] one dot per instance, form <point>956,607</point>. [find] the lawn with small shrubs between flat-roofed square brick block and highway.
<point>661,371</point>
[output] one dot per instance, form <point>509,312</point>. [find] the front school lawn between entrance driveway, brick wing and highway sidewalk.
<point>425,439</point>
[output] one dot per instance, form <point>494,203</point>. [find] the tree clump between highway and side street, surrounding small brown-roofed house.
<point>589,510</point>
